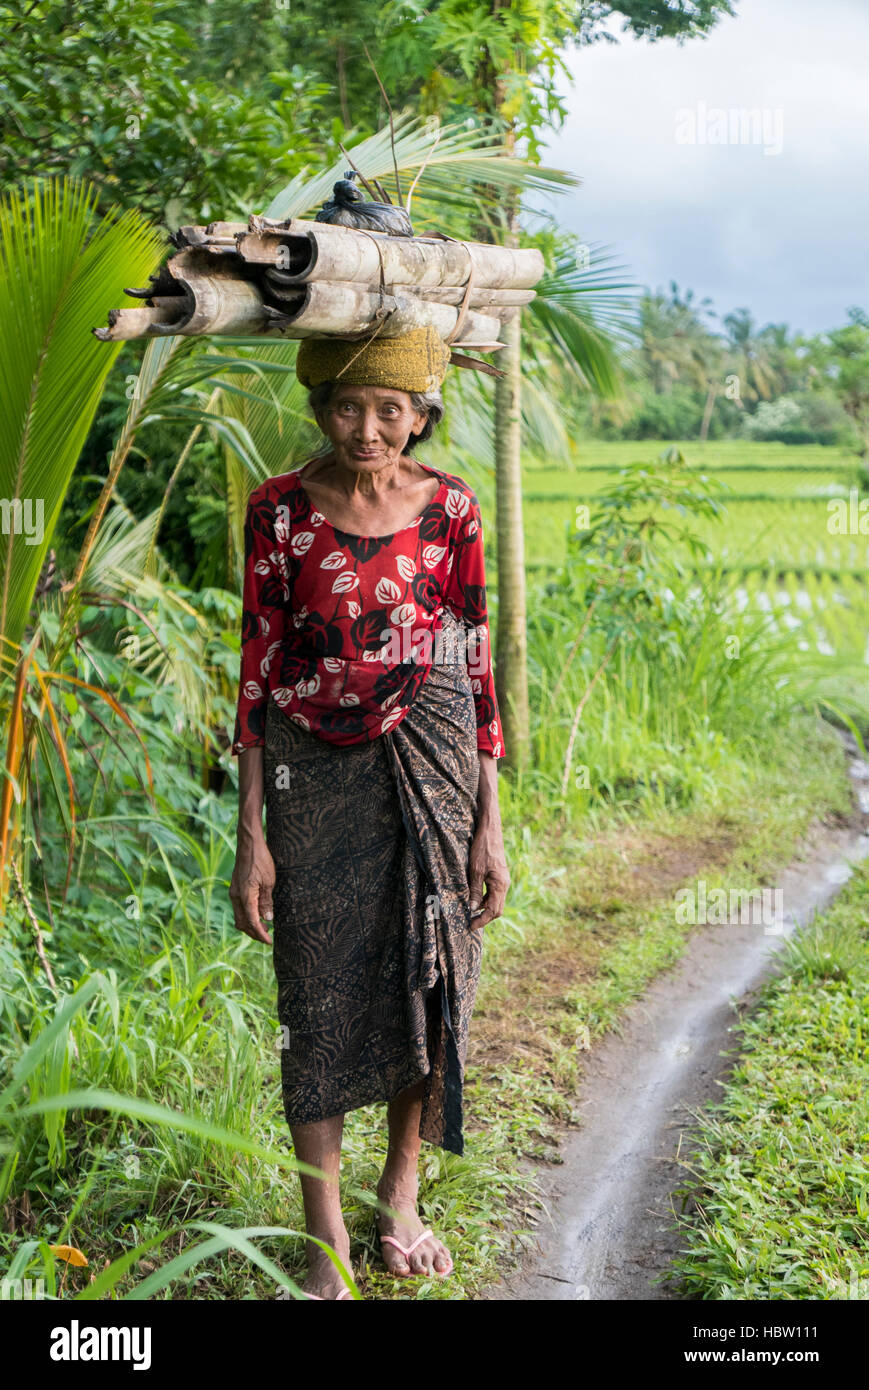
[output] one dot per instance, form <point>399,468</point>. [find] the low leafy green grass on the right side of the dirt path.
<point>778,1206</point>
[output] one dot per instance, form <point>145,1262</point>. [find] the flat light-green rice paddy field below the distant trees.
<point>779,541</point>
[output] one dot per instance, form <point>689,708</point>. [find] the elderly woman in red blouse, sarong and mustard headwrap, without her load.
<point>368,728</point>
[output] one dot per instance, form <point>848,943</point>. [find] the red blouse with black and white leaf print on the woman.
<point>343,629</point>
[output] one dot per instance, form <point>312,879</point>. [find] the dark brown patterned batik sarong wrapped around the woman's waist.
<point>376,961</point>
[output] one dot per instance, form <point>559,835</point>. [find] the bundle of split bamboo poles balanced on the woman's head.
<point>301,279</point>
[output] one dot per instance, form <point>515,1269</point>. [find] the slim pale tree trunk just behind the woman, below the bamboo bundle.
<point>511,664</point>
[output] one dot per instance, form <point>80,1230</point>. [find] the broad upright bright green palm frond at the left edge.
<point>59,269</point>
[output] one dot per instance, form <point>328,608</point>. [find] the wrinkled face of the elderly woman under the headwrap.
<point>369,427</point>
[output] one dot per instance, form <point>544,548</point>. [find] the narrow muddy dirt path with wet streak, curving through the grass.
<point>610,1232</point>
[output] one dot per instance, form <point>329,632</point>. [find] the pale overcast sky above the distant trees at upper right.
<point>786,233</point>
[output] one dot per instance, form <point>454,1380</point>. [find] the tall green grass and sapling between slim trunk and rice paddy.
<point>699,669</point>
